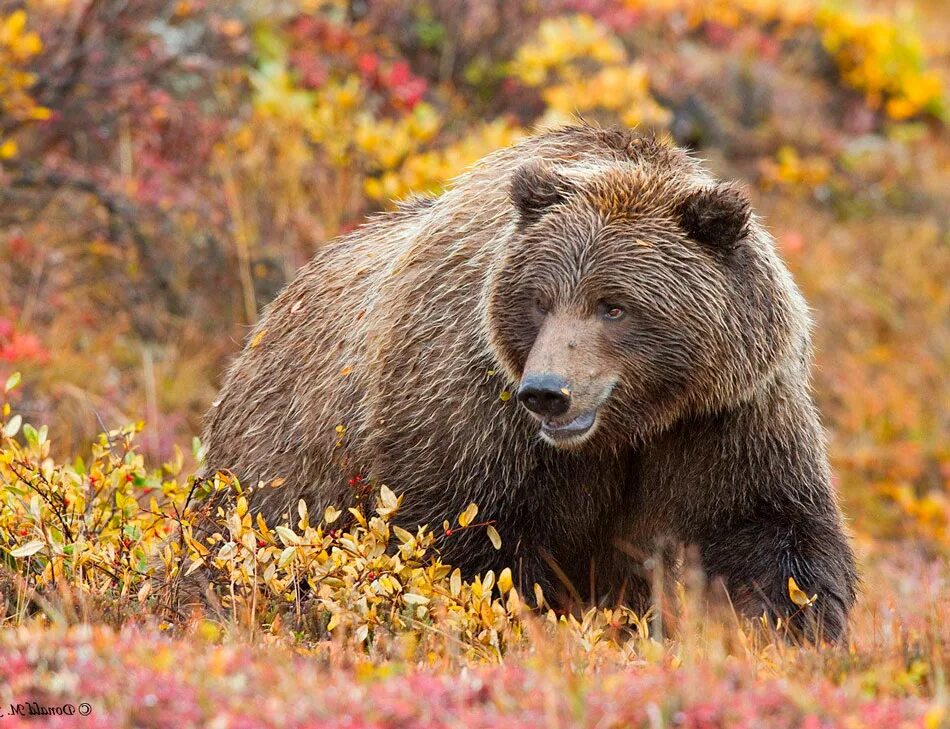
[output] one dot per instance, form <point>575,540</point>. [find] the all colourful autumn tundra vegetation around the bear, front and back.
<point>166,166</point>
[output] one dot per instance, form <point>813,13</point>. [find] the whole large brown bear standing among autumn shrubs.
<point>589,337</point>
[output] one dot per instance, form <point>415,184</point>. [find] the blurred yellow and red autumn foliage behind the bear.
<point>165,167</point>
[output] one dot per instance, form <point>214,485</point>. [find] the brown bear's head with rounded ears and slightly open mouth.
<point>630,296</point>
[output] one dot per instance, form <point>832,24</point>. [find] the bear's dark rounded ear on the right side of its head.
<point>716,216</point>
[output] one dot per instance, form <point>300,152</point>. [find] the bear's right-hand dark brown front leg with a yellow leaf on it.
<point>750,486</point>
